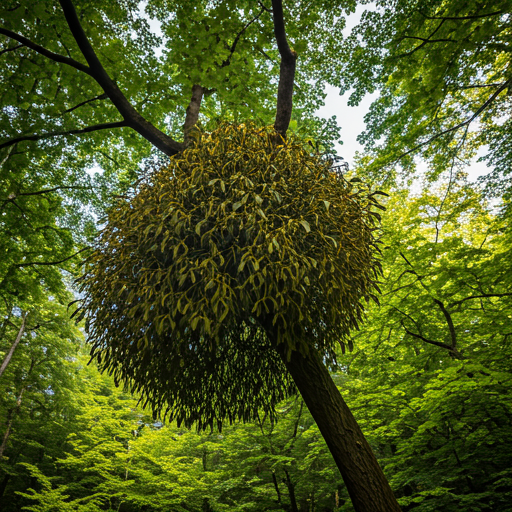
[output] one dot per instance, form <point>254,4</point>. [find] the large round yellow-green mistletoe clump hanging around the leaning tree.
<point>237,247</point>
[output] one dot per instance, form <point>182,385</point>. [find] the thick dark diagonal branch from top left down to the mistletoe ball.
<point>133,119</point>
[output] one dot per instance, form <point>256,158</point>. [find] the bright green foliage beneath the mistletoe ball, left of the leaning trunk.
<point>116,459</point>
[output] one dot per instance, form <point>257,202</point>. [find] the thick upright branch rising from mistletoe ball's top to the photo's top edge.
<point>286,71</point>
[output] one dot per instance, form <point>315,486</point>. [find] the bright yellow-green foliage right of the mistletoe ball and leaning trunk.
<point>430,380</point>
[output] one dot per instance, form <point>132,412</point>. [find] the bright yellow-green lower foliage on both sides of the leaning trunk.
<point>439,425</point>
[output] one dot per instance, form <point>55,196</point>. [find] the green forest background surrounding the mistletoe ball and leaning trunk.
<point>427,376</point>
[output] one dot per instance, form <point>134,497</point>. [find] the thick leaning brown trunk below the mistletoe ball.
<point>365,481</point>
